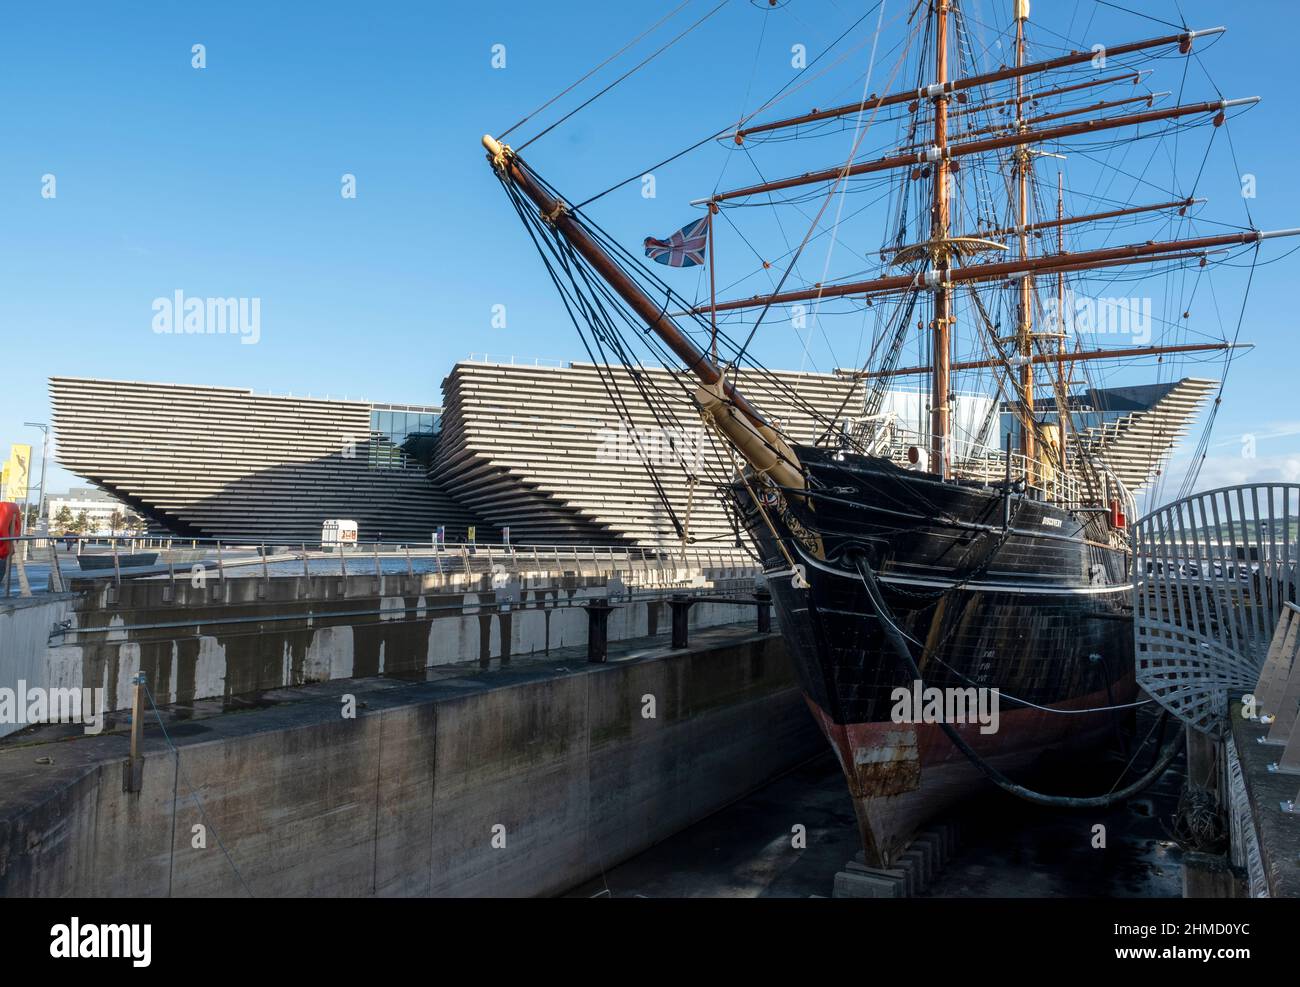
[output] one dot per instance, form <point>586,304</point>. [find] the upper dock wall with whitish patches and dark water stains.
<point>236,638</point>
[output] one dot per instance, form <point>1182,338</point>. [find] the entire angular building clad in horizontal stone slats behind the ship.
<point>552,453</point>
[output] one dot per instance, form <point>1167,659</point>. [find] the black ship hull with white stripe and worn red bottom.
<point>994,591</point>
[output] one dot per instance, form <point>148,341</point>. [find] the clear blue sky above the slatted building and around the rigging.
<point>226,181</point>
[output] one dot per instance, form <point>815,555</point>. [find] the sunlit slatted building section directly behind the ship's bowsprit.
<point>561,454</point>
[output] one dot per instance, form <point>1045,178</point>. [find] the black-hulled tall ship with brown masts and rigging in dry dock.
<point>985,198</point>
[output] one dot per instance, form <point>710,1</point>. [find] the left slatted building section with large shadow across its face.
<point>224,462</point>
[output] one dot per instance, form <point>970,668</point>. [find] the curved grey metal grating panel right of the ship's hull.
<point>1212,575</point>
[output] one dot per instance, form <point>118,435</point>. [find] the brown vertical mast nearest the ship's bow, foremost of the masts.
<point>941,425</point>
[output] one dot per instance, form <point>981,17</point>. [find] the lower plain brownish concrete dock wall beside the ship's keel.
<point>527,781</point>
